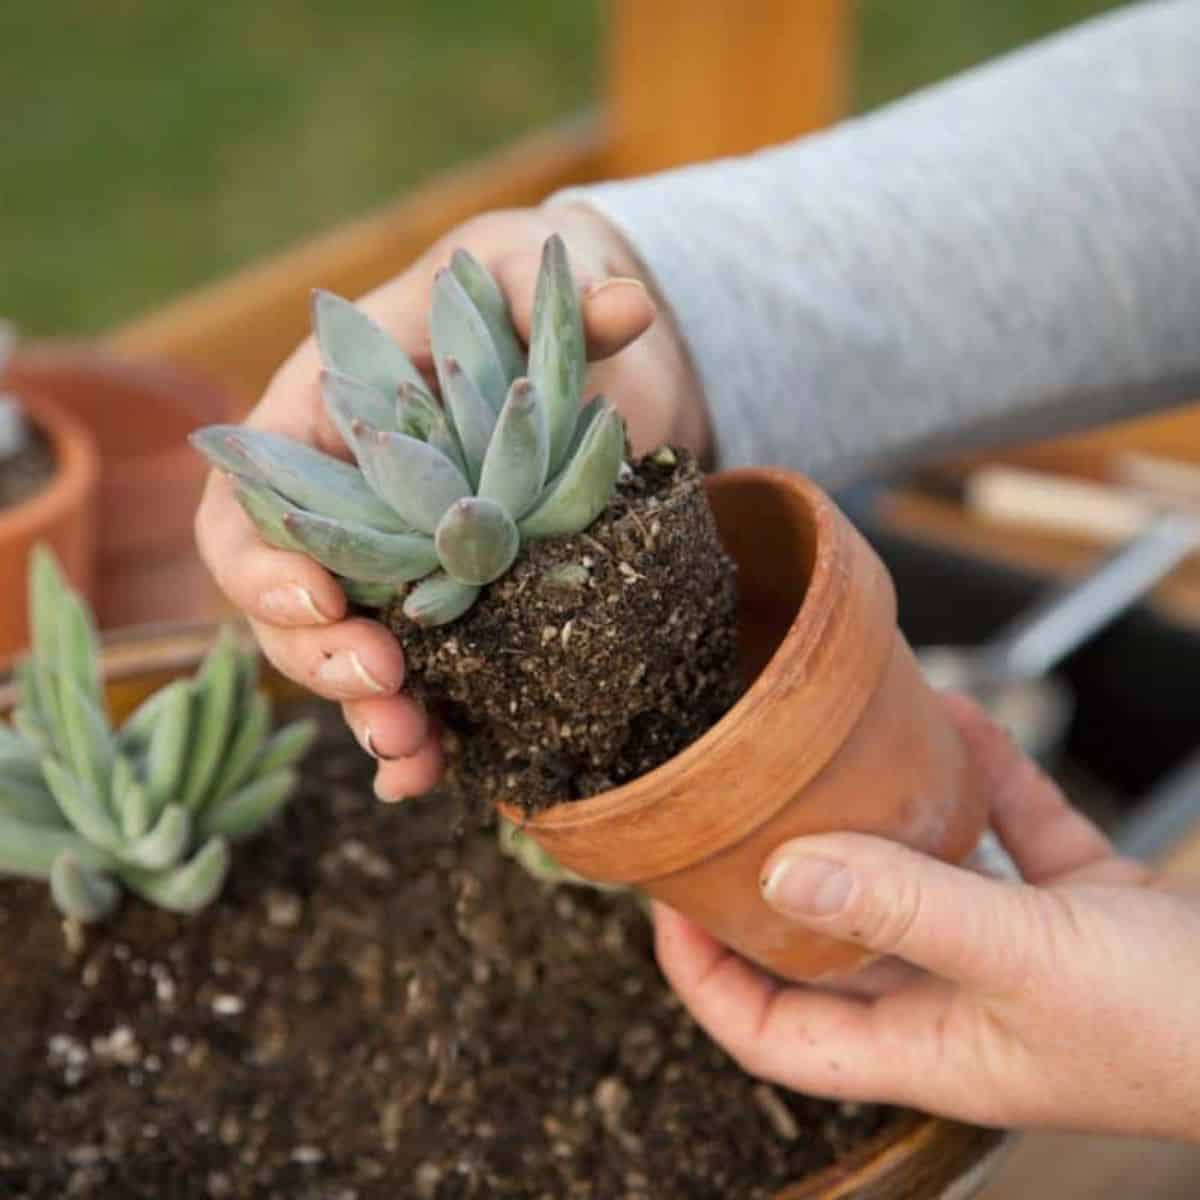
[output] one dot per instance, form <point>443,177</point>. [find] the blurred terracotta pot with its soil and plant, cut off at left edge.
<point>49,473</point>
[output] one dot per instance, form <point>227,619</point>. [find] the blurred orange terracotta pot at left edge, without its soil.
<point>62,515</point>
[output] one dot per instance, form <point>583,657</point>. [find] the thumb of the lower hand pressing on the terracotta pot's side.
<point>974,931</point>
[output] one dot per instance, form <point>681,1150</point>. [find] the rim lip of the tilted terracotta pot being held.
<point>815,614</point>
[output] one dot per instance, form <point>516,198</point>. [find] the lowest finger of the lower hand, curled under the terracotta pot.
<point>812,1041</point>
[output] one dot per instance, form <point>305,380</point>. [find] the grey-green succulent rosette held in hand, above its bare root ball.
<point>443,494</point>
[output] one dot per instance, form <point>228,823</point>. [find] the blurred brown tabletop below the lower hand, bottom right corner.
<point>1072,1167</point>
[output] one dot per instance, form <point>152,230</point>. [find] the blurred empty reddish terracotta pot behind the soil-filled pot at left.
<point>140,415</point>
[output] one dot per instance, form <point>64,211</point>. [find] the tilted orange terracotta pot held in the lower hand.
<point>837,731</point>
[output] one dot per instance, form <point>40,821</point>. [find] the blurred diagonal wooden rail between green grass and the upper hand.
<point>241,329</point>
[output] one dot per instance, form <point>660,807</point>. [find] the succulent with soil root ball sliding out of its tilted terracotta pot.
<point>574,620</point>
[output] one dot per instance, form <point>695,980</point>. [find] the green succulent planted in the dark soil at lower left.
<point>151,807</point>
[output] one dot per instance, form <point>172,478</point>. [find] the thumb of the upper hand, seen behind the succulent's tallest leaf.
<point>616,310</point>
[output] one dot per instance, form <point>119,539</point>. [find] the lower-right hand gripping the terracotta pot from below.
<point>1070,1001</point>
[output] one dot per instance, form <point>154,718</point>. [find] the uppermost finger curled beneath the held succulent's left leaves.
<point>278,587</point>
